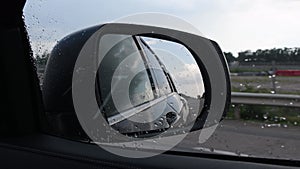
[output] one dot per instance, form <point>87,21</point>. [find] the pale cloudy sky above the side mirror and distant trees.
<point>237,25</point>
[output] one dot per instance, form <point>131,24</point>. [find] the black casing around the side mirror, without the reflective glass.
<point>57,86</point>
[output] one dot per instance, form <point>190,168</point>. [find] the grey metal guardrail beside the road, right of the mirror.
<point>265,99</point>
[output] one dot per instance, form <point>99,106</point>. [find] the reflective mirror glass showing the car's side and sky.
<point>147,85</point>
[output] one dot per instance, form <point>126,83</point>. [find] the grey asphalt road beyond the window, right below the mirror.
<point>248,139</point>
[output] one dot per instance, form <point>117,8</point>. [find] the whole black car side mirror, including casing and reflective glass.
<point>137,80</point>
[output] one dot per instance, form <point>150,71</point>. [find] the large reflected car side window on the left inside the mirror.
<point>116,67</point>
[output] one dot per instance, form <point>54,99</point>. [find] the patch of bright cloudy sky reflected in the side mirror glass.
<point>180,64</point>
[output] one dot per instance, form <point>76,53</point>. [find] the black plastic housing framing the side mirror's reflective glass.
<point>73,61</point>
